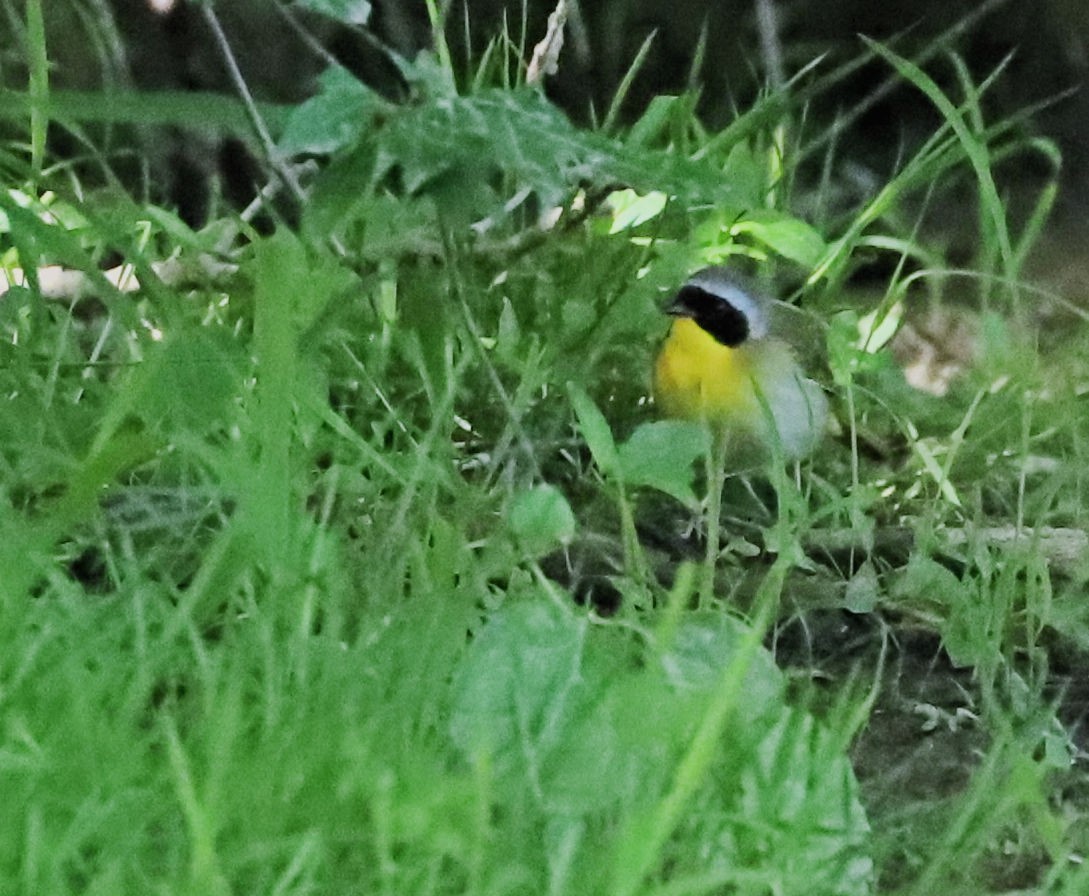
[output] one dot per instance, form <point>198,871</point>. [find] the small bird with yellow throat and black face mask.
<point>721,364</point>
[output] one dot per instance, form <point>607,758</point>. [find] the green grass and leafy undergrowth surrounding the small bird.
<point>291,538</point>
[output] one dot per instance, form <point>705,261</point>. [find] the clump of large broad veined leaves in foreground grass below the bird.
<point>577,732</point>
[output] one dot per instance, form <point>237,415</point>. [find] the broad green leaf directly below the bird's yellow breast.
<point>662,456</point>
